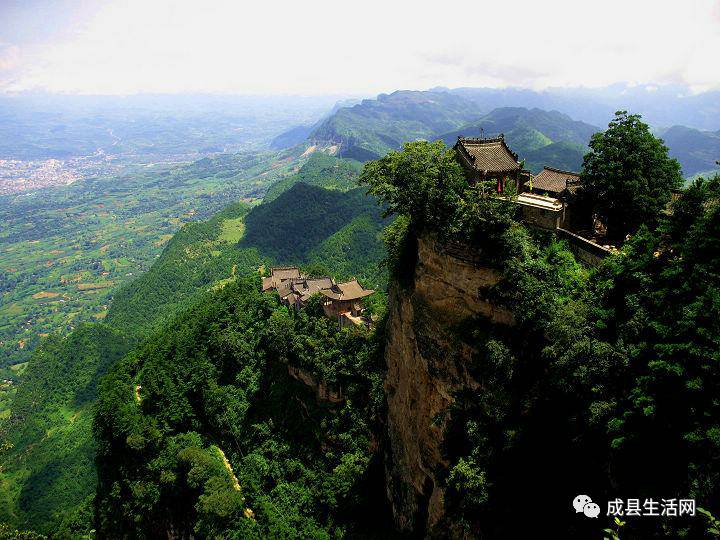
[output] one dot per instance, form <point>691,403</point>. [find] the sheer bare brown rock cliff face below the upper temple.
<point>427,364</point>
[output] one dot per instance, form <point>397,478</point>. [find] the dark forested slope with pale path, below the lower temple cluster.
<point>222,442</point>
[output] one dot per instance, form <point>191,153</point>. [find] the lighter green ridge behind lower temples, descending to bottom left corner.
<point>203,256</point>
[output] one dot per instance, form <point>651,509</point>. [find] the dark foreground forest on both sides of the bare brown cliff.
<point>603,386</point>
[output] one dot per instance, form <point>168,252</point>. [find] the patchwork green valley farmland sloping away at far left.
<point>65,250</point>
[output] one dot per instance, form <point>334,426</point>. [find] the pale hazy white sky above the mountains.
<point>338,47</point>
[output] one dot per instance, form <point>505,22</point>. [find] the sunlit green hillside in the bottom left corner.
<point>48,451</point>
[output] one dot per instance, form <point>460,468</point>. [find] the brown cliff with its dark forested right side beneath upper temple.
<point>510,364</point>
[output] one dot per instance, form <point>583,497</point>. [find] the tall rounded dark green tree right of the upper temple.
<point>629,175</point>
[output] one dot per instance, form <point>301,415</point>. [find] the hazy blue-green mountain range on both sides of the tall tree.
<point>373,127</point>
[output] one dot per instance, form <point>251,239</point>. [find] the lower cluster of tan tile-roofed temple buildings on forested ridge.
<point>342,302</point>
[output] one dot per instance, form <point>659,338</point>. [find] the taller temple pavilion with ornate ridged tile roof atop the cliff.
<point>490,159</point>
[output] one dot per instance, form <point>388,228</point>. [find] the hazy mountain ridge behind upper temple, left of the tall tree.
<point>374,127</point>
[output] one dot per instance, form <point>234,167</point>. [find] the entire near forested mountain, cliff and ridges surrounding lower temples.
<point>212,424</point>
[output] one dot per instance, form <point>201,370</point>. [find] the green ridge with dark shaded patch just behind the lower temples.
<point>291,229</point>
